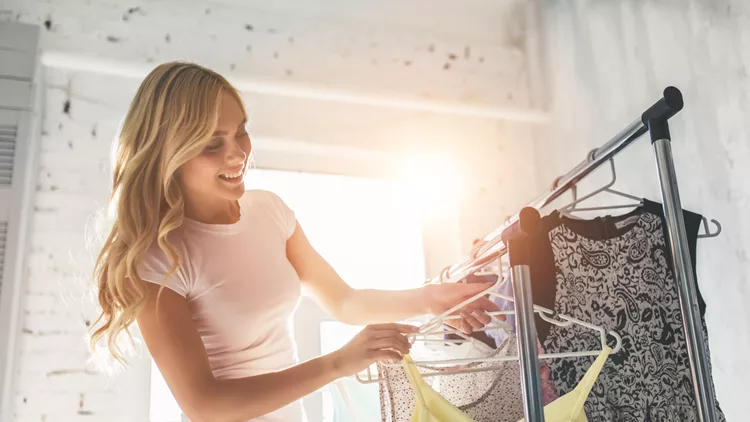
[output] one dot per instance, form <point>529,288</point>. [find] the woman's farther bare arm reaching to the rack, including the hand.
<point>370,306</point>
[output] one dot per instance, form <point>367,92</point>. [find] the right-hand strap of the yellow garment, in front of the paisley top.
<point>569,408</point>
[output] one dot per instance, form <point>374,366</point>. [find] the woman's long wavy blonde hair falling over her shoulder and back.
<point>170,120</point>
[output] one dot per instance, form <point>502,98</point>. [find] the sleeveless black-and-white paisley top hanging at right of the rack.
<point>616,272</point>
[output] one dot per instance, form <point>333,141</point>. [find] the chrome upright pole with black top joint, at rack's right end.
<point>656,118</point>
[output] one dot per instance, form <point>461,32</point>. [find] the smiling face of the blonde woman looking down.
<point>219,171</point>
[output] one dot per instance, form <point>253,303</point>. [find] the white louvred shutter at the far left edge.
<point>20,126</point>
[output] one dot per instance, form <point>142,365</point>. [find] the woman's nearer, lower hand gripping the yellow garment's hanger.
<point>374,343</point>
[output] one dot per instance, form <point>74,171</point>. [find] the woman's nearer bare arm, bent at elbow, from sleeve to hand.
<point>178,351</point>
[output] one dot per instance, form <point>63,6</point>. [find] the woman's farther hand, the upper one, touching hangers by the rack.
<point>441,297</point>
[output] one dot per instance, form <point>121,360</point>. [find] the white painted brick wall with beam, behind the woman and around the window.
<point>337,87</point>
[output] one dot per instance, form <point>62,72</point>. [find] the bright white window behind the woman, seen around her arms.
<point>371,232</point>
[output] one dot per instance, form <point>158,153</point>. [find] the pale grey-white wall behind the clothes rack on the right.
<point>609,61</point>
